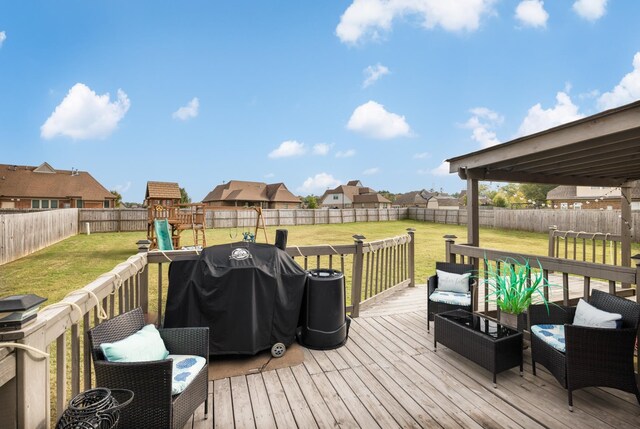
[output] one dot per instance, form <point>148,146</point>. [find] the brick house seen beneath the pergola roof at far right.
<point>591,197</point>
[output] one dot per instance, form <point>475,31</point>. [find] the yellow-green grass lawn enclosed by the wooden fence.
<point>73,263</point>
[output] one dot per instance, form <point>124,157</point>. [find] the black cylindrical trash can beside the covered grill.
<point>324,323</point>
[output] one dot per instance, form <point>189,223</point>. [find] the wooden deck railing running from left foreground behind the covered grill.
<point>47,362</point>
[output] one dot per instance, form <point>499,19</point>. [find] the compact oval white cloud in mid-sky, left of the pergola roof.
<point>372,120</point>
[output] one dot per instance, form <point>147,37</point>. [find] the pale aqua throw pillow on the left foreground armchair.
<point>144,345</point>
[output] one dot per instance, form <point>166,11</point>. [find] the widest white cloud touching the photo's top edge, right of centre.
<point>372,18</point>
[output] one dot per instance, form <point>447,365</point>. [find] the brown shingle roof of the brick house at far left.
<point>46,182</point>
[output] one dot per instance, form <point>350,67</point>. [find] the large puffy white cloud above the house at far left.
<point>83,114</point>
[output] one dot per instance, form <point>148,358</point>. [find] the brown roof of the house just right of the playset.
<point>238,190</point>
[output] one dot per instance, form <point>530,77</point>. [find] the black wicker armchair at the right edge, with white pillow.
<point>594,356</point>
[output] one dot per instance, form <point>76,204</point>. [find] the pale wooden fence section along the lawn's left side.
<point>24,233</point>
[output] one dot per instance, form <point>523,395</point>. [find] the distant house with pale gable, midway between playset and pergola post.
<point>353,195</point>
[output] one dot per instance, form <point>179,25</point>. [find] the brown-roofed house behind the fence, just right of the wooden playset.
<point>238,193</point>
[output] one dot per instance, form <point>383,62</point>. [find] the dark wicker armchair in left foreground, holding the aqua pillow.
<point>153,406</point>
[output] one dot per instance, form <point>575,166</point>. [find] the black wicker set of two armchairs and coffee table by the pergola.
<point>585,346</point>
